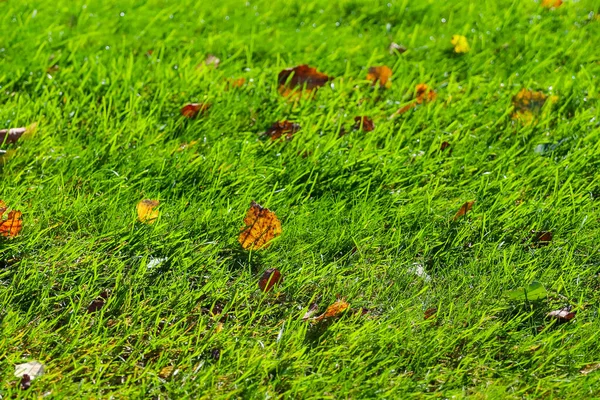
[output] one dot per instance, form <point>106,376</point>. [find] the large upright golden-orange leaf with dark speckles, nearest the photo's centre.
<point>261,225</point>
